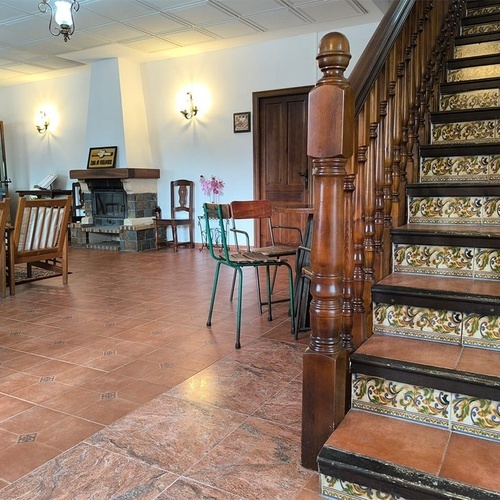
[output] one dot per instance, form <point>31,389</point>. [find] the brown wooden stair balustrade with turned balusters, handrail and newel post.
<point>363,137</point>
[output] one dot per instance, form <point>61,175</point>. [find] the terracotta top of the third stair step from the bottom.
<point>454,285</point>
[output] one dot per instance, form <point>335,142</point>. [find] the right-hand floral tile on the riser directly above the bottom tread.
<point>475,416</point>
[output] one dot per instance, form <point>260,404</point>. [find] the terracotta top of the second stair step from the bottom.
<point>460,359</point>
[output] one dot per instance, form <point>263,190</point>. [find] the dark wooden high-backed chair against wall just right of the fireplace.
<point>181,214</point>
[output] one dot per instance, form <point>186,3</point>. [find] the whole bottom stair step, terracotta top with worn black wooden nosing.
<point>407,459</point>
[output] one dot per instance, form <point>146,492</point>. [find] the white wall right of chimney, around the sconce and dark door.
<point>206,145</point>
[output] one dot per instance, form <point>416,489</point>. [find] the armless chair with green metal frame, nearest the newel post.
<point>238,261</point>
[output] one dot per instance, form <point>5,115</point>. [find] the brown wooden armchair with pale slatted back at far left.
<point>39,237</point>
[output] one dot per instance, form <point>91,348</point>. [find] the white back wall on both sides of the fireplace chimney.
<point>180,148</point>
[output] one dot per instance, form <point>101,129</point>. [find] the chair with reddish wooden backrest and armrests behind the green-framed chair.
<point>261,211</point>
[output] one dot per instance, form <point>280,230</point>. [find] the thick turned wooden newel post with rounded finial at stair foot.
<point>330,144</point>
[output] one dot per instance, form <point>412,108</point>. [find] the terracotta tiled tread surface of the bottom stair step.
<point>417,447</point>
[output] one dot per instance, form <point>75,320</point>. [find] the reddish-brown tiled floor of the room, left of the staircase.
<point>113,387</point>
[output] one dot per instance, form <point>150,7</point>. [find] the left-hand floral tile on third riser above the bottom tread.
<point>428,259</point>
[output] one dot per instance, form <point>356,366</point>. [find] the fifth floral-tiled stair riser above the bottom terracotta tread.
<point>460,168</point>
